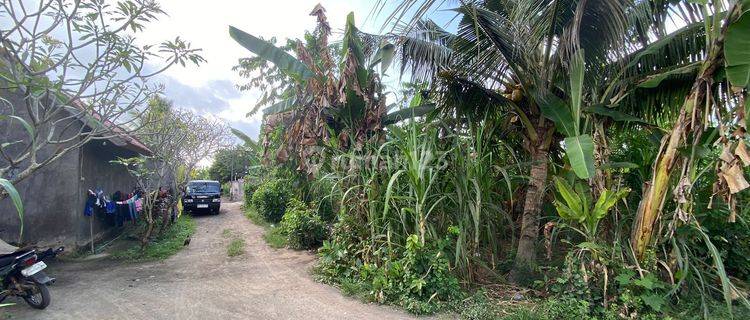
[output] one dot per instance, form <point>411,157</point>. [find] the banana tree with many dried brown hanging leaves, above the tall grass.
<point>330,101</point>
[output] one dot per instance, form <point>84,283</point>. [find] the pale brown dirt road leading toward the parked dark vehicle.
<point>201,282</point>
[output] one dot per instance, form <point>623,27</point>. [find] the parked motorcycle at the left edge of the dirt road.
<point>22,276</point>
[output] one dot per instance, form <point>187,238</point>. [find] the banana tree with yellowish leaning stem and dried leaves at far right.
<point>680,81</point>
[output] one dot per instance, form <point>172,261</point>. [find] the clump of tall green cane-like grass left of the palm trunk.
<point>433,183</point>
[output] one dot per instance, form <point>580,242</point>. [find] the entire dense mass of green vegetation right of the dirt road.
<point>547,159</point>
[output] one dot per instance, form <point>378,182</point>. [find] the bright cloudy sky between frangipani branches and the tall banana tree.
<point>210,89</point>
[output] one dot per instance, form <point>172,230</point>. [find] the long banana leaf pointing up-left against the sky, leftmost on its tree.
<point>264,49</point>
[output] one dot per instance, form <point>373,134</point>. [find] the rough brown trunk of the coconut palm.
<point>526,253</point>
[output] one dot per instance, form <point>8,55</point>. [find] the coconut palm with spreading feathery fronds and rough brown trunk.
<point>541,54</point>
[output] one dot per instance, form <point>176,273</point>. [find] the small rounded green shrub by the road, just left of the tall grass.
<point>303,227</point>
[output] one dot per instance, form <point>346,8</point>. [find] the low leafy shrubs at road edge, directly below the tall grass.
<point>415,276</point>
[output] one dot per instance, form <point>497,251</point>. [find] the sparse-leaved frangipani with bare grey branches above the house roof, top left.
<point>65,62</point>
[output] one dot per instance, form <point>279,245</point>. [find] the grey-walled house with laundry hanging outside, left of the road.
<point>54,196</point>
